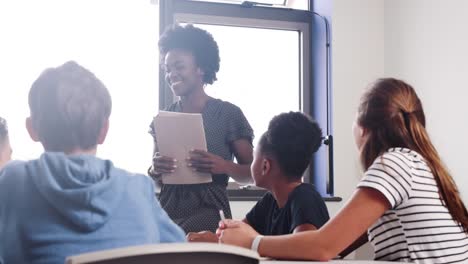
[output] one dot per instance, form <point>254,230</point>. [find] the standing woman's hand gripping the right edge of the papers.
<point>203,161</point>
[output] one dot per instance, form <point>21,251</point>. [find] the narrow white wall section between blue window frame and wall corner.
<point>357,50</point>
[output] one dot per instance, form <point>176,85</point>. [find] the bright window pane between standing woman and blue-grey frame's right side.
<point>259,72</point>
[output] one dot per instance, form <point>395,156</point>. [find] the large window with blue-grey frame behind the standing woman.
<point>266,67</point>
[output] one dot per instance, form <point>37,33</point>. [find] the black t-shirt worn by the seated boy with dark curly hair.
<point>304,206</point>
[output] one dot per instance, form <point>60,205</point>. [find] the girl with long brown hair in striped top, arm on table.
<point>407,200</point>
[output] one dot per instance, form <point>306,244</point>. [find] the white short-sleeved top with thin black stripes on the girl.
<point>418,227</point>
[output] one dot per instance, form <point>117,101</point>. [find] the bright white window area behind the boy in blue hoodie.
<point>117,40</point>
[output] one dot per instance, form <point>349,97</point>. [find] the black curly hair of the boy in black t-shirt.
<point>291,139</point>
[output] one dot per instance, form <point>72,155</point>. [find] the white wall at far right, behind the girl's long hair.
<point>426,44</point>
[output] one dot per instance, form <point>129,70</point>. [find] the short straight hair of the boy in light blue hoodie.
<point>69,106</point>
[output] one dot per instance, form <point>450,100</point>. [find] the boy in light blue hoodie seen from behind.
<point>68,201</point>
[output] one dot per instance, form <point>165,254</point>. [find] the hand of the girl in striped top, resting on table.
<point>236,233</point>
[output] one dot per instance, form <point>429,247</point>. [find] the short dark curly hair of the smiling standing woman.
<point>197,41</point>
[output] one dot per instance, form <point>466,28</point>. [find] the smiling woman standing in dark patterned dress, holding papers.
<point>191,61</point>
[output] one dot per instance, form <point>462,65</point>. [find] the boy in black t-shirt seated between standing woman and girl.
<point>280,159</point>
